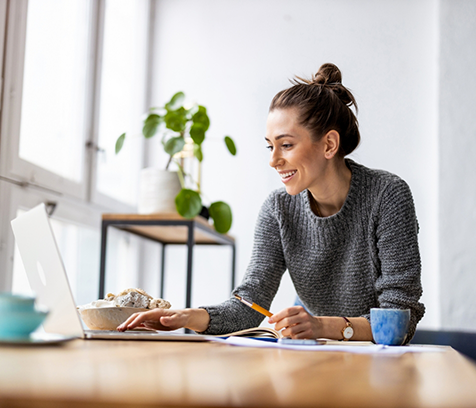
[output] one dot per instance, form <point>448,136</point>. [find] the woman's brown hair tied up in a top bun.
<point>324,104</point>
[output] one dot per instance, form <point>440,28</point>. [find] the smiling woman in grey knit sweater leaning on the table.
<point>347,234</point>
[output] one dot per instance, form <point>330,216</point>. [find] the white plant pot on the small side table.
<point>157,191</point>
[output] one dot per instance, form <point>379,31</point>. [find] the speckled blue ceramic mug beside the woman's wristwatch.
<point>389,326</point>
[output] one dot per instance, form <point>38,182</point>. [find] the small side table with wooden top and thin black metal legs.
<point>167,229</point>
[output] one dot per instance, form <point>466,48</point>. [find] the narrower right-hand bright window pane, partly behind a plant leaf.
<point>123,98</point>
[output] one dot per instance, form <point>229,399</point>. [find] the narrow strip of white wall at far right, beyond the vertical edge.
<point>457,138</point>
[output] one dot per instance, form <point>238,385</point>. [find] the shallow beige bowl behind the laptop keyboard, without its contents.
<point>107,318</point>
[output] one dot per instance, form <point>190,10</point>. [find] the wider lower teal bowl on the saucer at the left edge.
<point>20,324</point>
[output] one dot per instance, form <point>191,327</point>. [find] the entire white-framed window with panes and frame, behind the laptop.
<point>75,76</point>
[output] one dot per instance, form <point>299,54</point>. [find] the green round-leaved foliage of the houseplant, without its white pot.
<point>183,132</point>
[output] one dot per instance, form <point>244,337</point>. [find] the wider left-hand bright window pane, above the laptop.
<point>55,79</point>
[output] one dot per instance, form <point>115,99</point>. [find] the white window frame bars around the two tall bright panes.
<point>78,203</point>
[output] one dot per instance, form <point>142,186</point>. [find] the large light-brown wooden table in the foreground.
<point>124,374</point>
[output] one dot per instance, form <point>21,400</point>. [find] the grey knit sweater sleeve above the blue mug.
<point>399,284</point>
